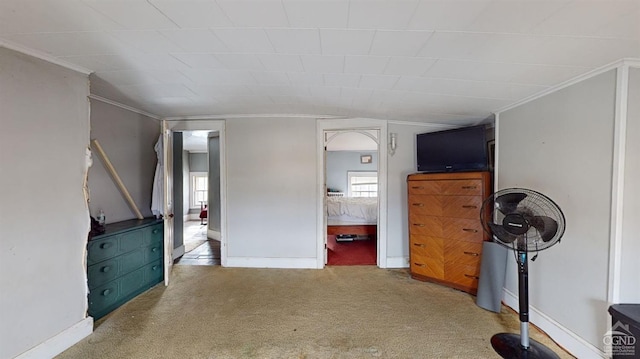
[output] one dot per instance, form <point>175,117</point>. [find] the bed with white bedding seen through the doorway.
<point>352,215</point>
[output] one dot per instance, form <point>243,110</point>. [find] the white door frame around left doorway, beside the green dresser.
<point>215,126</point>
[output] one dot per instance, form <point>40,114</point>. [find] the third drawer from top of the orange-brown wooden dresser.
<point>446,227</point>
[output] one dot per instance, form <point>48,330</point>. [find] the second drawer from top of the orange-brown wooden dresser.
<point>445,206</point>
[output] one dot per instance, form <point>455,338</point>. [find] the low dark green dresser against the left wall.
<point>123,262</point>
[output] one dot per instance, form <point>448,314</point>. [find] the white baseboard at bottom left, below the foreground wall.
<point>60,342</point>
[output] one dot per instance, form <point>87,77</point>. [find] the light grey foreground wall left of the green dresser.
<point>44,219</point>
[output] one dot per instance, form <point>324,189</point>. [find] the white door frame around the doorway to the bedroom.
<point>356,124</point>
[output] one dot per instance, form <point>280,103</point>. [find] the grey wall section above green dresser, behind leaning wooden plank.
<point>128,139</point>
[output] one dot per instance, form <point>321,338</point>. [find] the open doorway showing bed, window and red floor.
<point>351,178</point>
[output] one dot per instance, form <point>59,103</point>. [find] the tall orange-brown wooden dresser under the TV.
<point>445,233</point>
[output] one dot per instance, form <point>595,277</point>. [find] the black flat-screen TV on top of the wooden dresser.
<point>458,150</point>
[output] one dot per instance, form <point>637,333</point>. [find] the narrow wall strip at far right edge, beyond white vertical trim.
<point>630,265</point>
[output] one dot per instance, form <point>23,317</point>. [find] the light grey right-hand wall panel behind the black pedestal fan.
<point>562,145</point>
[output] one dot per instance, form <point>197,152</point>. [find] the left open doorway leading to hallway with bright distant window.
<point>195,183</point>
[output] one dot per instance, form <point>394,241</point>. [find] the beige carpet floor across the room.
<point>336,312</point>
